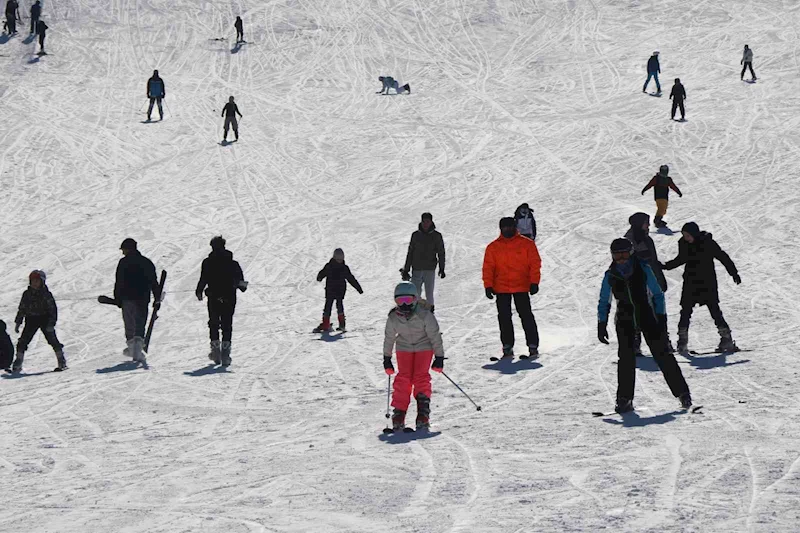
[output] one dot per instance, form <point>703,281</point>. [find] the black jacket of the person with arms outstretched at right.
<point>700,276</point>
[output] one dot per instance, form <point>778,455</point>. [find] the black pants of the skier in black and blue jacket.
<point>626,369</point>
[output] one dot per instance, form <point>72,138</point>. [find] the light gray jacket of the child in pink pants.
<point>417,333</point>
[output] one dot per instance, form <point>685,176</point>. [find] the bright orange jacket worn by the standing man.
<point>511,265</point>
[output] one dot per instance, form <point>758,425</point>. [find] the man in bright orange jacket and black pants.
<point>512,270</point>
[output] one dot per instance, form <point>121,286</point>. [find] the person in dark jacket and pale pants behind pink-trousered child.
<point>425,251</point>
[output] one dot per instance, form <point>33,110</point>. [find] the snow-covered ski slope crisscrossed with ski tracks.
<point>512,101</point>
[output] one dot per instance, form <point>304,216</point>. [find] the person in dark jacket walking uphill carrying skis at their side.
<point>135,280</point>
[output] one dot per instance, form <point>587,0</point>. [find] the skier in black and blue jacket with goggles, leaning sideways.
<point>640,307</point>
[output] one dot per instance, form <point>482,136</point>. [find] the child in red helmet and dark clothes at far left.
<point>38,310</point>
